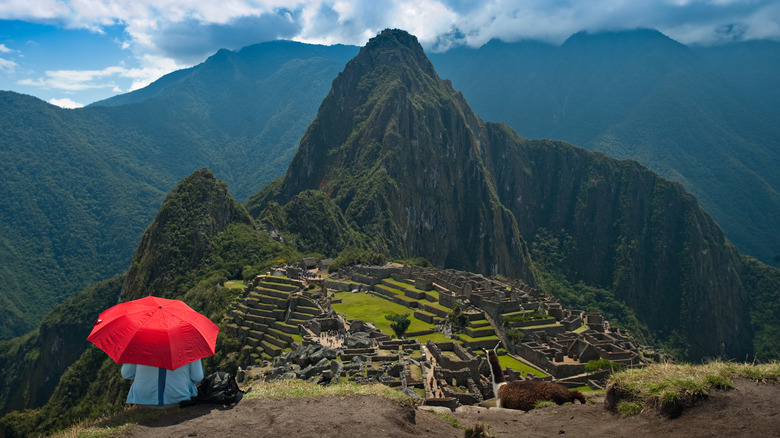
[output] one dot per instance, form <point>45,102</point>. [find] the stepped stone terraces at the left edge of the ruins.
<point>266,320</point>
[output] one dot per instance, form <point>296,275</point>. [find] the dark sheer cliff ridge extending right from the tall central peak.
<point>631,232</point>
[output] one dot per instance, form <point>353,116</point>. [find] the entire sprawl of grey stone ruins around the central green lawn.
<point>555,340</point>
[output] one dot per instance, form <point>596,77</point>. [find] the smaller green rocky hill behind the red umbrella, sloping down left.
<point>200,237</point>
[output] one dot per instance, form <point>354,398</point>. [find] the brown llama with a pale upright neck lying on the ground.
<point>524,394</point>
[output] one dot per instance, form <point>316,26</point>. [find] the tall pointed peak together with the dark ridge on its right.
<point>416,173</point>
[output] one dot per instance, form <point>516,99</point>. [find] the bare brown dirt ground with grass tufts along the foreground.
<point>752,409</point>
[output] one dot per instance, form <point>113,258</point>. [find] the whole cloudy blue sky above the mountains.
<point>74,52</point>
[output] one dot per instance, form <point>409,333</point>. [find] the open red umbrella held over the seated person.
<point>154,331</point>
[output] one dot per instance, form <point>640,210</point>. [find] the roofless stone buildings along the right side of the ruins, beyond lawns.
<point>560,343</point>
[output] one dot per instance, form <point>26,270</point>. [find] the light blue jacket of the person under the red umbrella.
<point>158,386</point>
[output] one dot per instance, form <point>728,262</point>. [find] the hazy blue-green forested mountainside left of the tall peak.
<point>80,186</point>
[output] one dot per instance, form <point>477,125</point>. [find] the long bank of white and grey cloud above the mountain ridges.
<point>177,28</point>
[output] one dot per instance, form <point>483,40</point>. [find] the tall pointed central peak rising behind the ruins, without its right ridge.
<point>401,154</point>
